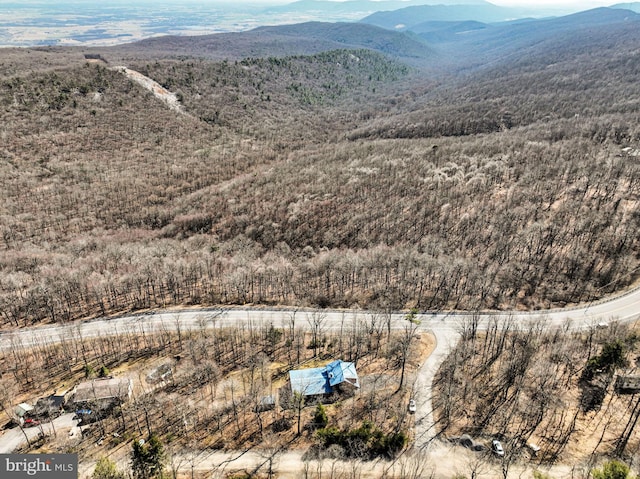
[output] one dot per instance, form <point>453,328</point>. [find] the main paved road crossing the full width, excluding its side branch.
<point>625,307</point>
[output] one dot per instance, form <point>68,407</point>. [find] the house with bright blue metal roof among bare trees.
<point>337,376</point>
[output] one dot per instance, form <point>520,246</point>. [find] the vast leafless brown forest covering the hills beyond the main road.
<point>338,179</point>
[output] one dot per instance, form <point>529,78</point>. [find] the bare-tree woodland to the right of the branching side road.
<point>552,389</point>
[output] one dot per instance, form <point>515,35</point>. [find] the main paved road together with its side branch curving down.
<point>445,327</point>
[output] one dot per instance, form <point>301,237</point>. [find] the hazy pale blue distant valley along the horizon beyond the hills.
<point>77,22</point>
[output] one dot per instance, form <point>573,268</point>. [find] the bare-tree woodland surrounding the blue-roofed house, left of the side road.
<point>217,378</point>
